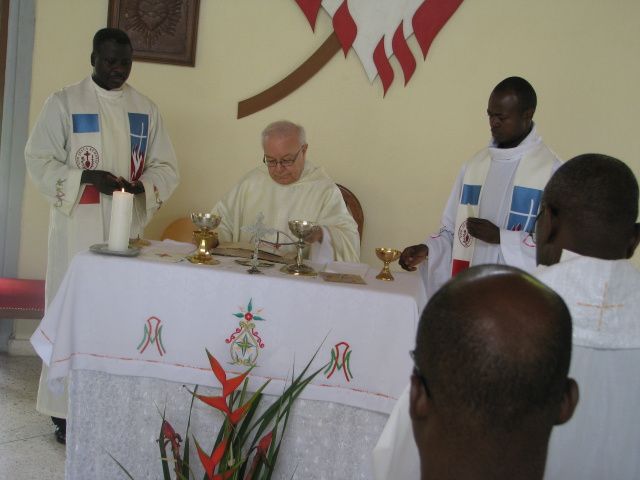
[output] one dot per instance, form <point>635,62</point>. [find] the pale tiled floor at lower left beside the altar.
<point>28,449</point>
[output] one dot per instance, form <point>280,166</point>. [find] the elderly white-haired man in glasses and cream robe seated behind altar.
<point>288,187</point>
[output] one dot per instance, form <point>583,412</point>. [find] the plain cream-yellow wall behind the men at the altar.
<point>399,154</point>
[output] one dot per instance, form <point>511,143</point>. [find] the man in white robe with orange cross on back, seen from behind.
<point>586,231</point>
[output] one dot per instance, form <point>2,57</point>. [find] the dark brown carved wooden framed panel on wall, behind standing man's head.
<point>161,31</point>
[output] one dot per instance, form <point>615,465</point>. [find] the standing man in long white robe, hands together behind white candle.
<point>90,139</point>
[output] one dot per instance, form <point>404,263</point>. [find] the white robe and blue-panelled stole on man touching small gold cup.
<point>497,199</point>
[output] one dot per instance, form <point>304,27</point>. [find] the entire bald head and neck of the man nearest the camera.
<point>492,355</point>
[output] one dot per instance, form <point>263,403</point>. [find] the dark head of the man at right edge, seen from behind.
<point>589,206</point>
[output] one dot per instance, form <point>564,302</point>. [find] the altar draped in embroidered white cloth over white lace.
<point>130,333</point>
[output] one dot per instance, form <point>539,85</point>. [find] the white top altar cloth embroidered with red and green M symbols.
<point>136,317</point>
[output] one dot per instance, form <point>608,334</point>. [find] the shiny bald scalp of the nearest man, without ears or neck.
<point>494,346</point>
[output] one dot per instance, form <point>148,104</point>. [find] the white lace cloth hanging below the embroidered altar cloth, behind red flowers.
<point>118,415</point>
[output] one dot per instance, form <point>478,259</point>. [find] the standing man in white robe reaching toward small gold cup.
<point>493,204</point>
